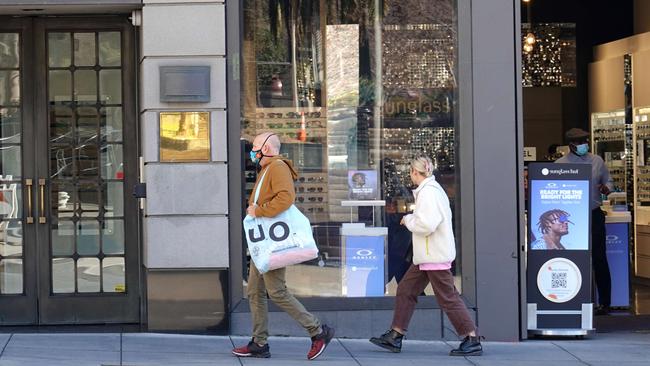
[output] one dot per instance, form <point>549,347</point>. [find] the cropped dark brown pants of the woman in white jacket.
<point>412,285</point>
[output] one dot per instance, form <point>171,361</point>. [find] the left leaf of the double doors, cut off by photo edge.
<point>18,292</point>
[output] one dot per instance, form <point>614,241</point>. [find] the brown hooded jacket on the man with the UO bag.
<point>277,192</point>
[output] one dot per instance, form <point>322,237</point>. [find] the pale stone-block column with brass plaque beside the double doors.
<point>185,244</point>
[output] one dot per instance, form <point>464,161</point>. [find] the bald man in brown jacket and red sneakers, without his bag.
<point>277,194</point>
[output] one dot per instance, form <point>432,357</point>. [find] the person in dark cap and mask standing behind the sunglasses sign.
<point>601,184</point>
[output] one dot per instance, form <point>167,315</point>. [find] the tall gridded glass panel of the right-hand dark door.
<point>86,162</point>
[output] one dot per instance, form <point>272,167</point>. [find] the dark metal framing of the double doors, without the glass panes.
<point>38,305</point>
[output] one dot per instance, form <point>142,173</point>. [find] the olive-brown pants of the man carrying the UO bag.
<point>273,283</point>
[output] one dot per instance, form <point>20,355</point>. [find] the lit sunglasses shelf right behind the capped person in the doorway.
<point>608,141</point>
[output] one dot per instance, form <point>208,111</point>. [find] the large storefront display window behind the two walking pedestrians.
<point>355,89</point>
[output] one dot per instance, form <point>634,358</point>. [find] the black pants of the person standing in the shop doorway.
<point>599,257</point>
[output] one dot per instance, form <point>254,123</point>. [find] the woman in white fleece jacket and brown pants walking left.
<point>434,250</point>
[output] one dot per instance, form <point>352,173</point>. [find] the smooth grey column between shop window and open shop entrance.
<point>498,159</point>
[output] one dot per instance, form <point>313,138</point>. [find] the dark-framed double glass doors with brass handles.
<point>74,100</point>
